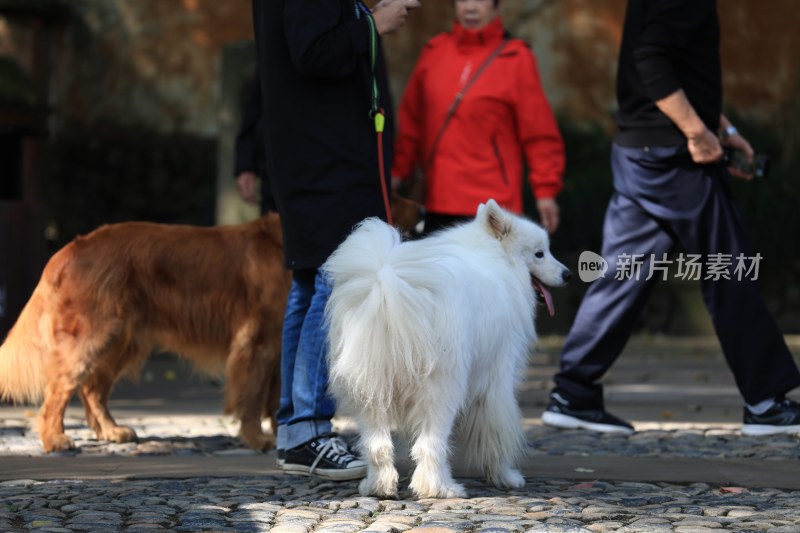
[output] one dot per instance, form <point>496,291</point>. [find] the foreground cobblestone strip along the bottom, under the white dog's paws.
<point>291,504</point>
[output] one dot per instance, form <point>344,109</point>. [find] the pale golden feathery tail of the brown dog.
<point>22,377</point>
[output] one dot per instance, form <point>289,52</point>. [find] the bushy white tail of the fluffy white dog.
<point>373,310</point>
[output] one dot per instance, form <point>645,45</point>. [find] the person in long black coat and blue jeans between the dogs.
<point>319,67</point>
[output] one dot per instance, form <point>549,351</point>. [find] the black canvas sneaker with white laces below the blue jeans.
<point>326,456</point>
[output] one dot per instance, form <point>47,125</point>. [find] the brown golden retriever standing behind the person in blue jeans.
<point>216,296</point>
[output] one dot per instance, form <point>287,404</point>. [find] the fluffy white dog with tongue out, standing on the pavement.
<point>432,336</point>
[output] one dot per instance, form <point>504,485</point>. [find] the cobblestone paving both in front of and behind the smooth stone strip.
<point>275,502</point>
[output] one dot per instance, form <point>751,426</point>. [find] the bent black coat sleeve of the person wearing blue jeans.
<point>323,41</point>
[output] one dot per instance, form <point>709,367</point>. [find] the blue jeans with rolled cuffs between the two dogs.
<point>305,409</point>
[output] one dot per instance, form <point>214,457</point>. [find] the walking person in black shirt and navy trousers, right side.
<point>671,191</point>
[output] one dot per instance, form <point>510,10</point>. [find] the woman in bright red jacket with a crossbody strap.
<point>502,118</point>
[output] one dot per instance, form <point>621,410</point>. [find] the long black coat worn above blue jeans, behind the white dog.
<point>320,143</point>
